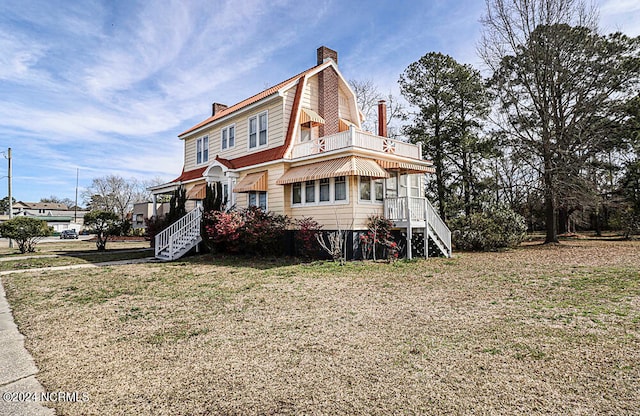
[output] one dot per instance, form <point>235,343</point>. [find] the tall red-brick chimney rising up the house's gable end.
<point>328,104</point>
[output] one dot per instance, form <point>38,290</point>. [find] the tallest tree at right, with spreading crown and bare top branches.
<point>558,84</point>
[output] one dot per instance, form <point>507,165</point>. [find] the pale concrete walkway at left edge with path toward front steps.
<point>17,367</point>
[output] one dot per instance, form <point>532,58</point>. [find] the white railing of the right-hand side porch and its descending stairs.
<point>410,211</point>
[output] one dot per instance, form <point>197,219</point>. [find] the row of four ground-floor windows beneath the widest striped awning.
<point>323,191</point>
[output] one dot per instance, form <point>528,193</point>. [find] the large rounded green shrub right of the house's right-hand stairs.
<point>490,230</point>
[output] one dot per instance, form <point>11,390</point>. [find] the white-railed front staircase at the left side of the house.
<point>180,237</point>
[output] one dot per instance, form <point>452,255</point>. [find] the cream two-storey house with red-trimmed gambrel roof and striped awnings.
<point>298,149</point>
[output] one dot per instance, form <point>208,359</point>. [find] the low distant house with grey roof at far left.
<point>58,216</point>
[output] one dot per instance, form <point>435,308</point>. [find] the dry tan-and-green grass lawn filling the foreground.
<point>534,330</point>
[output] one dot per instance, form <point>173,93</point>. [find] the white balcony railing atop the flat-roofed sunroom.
<point>358,139</point>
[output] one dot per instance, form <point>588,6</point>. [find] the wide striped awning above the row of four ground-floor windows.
<point>344,166</point>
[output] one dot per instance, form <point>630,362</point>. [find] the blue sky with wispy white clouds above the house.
<point>106,86</point>
